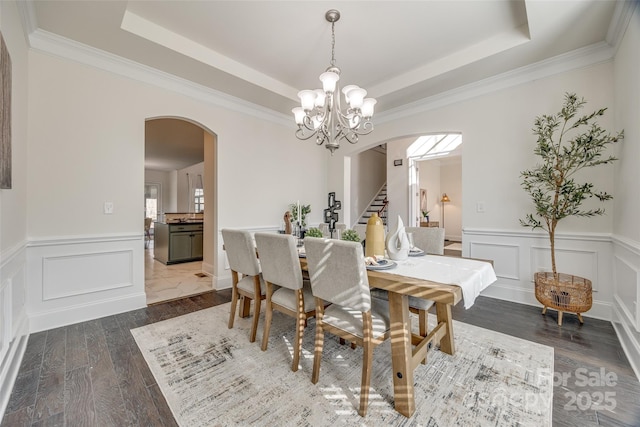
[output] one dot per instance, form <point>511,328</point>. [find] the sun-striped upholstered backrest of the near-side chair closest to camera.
<point>338,273</point>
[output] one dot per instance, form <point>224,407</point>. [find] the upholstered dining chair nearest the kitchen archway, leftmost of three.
<point>246,279</point>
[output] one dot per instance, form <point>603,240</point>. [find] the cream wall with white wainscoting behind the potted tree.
<point>498,144</point>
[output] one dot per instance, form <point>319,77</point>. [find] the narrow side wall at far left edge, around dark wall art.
<point>13,212</point>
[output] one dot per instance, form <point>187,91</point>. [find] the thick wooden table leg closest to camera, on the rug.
<point>401,354</point>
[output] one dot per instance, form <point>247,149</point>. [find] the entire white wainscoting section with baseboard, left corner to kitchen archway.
<point>82,278</point>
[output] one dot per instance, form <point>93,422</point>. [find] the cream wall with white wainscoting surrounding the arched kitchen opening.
<point>97,116</point>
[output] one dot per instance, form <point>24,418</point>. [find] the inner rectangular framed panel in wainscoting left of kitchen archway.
<point>67,276</point>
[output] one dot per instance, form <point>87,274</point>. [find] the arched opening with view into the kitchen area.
<point>180,165</point>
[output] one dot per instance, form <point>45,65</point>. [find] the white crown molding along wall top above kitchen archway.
<point>63,47</point>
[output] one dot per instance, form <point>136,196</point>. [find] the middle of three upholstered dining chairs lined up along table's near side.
<point>281,266</point>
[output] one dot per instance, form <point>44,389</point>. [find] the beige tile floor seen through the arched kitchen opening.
<point>168,282</point>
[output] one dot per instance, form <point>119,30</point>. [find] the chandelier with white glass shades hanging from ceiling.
<point>321,114</point>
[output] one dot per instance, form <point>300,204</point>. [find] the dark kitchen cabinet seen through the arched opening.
<point>174,243</point>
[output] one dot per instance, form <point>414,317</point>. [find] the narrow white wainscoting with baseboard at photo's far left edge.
<point>14,325</point>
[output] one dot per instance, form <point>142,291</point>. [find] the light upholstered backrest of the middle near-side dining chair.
<point>279,259</point>
